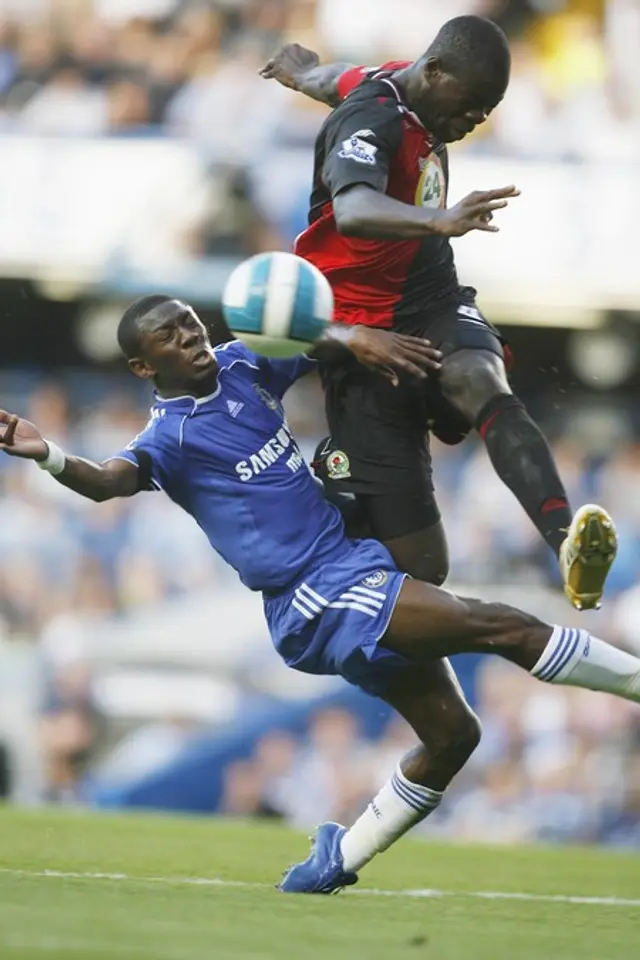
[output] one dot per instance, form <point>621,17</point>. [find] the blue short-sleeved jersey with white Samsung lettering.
<point>231,462</point>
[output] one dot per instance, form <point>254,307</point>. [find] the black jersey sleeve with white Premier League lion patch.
<point>361,143</point>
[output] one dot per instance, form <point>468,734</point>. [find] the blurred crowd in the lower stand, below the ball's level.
<point>553,765</point>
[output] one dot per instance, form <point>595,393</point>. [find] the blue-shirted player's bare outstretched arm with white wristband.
<point>98,482</point>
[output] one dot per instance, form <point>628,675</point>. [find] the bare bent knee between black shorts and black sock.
<point>471,378</point>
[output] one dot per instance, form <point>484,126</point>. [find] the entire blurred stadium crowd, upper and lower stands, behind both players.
<point>553,765</point>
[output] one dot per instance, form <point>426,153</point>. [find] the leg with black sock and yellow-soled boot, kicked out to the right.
<point>474,380</point>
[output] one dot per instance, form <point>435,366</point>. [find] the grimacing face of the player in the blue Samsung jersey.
<point>176,350</point>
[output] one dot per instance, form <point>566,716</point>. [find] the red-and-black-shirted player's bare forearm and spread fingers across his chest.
<point>363,212</point>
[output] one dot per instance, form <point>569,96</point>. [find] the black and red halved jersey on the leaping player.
<point>373,138</point>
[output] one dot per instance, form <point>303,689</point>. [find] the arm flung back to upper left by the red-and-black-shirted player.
<point>299,68</point>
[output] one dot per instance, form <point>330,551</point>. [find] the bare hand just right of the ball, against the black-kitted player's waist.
<point>394,353</point>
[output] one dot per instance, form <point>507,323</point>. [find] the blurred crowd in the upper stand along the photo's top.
<point>94,67</point>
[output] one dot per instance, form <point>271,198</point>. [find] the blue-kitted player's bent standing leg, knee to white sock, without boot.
<point>430,699</point>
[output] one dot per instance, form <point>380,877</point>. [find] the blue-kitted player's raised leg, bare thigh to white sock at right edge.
<point>429,622</point>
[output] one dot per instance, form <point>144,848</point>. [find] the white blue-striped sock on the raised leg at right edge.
<point>575,658</point>
